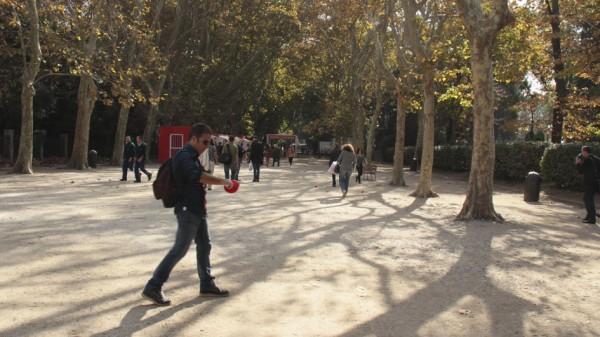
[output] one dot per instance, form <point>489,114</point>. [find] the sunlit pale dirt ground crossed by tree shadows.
<point>77,248</point>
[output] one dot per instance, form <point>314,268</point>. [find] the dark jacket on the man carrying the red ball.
<point>187,171</point>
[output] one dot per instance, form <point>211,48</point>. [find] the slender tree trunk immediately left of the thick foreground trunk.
<point>424,187</point>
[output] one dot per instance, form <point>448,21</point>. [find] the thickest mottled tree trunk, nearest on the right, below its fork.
<point>479,202</point>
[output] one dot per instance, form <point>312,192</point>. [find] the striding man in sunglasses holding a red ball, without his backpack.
<point>190,210</point>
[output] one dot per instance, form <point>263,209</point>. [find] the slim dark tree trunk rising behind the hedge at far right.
<point>559,78</point>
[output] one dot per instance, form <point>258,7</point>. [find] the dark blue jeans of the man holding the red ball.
<point>189,227</point>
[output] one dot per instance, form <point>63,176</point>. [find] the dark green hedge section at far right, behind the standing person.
<point>558,165</point>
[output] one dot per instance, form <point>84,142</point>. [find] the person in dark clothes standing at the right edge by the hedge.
<point>588,165</point>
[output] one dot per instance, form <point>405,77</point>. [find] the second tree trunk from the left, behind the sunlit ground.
<point>86,99</point>
